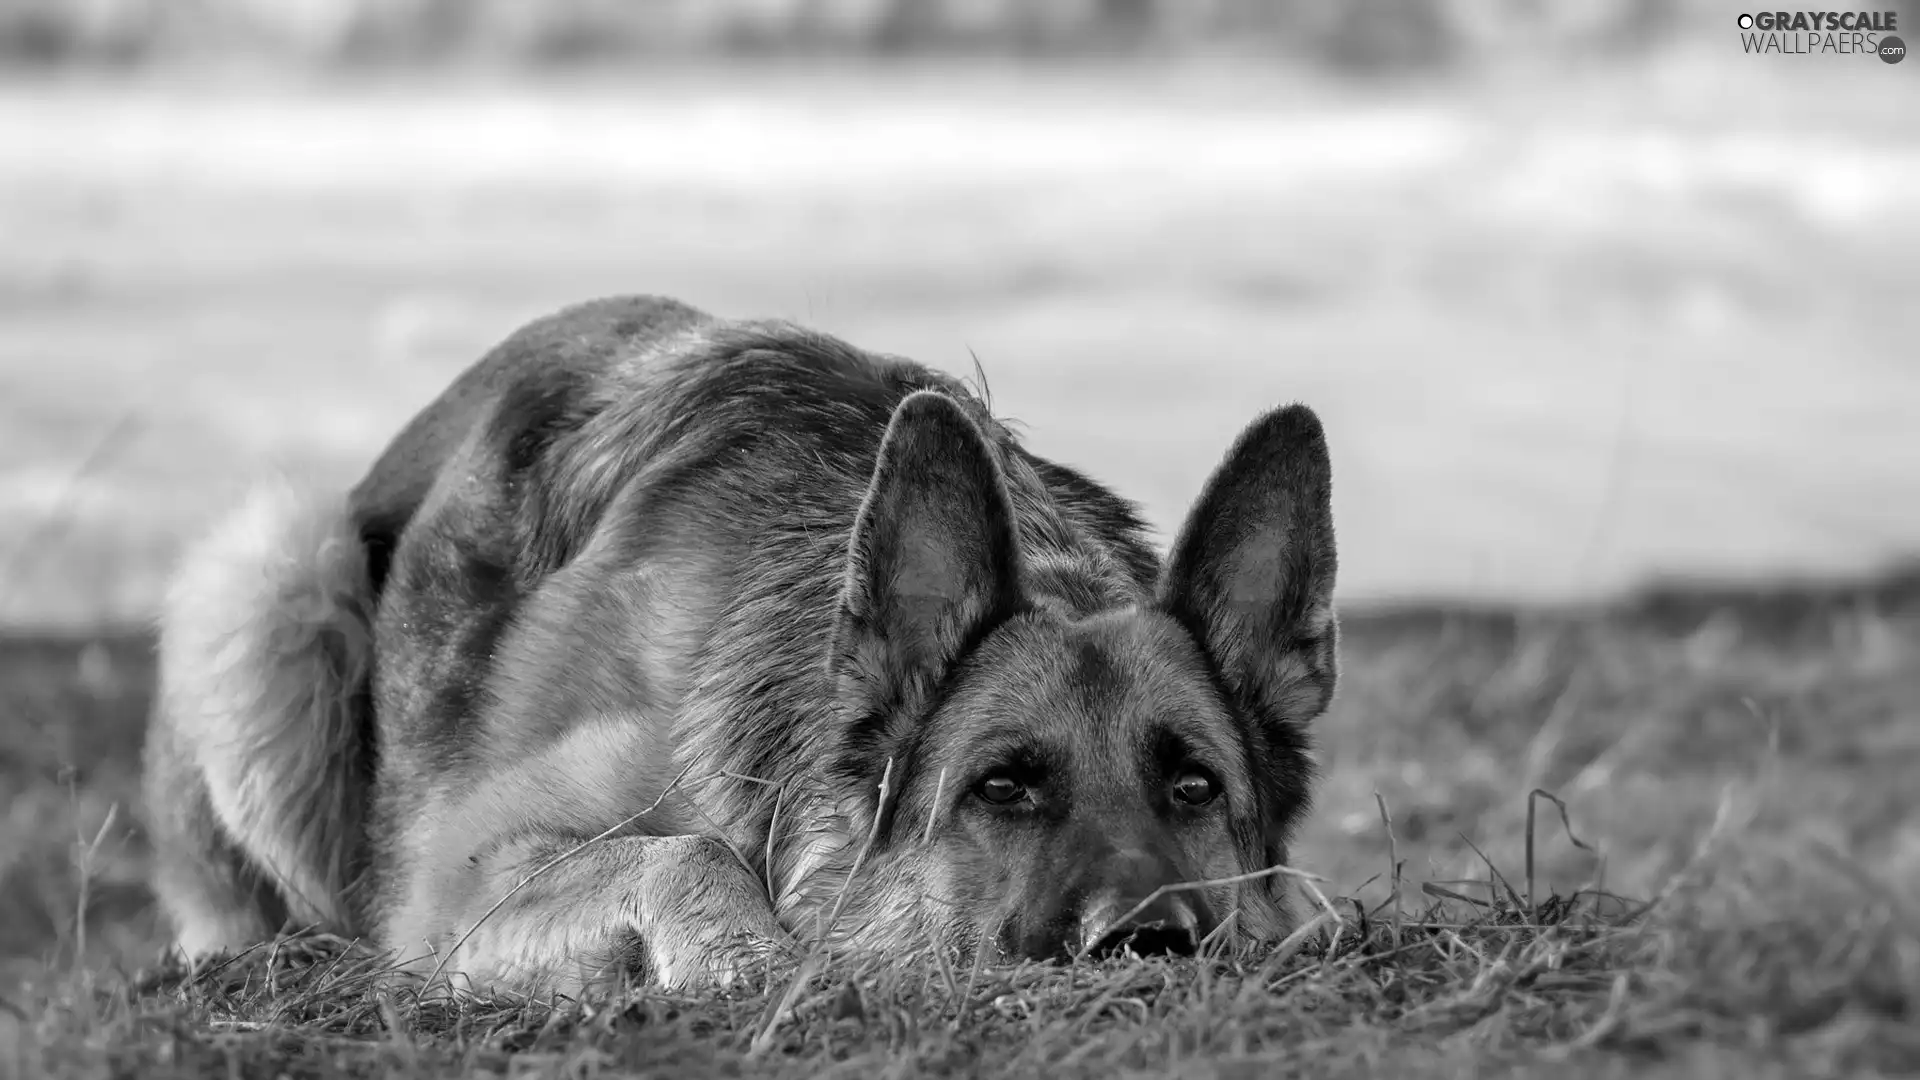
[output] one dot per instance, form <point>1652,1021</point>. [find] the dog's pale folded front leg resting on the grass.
<point>675,912</point>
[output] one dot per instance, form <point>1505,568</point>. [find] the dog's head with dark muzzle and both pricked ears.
<point>1051,775</point>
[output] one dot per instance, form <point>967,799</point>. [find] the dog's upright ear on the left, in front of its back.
<point>932,566</point>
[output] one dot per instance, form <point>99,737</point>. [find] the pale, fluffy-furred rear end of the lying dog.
<point>258,758</point>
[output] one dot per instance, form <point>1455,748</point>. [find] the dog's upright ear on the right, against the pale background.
<point>1253,570</point>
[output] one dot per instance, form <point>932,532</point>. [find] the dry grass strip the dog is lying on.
<point>1729,896</point>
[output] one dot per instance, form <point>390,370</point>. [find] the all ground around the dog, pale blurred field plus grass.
<point>1564,337</point>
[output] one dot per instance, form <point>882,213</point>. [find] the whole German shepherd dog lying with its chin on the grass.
<point>660,643</point>
